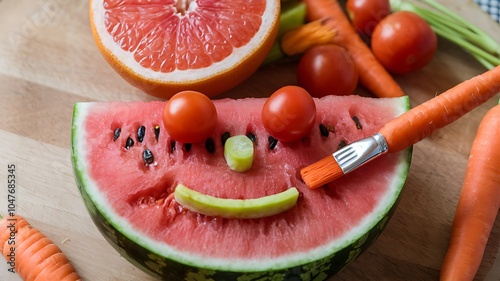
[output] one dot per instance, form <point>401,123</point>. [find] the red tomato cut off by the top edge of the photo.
<point>366,14</point>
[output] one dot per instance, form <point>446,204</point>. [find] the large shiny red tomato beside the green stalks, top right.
<point>403,42</point>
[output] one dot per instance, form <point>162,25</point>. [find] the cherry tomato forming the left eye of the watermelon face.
<point>189,117</point>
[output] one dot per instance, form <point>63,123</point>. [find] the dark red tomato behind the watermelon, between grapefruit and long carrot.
<point>327,70</point>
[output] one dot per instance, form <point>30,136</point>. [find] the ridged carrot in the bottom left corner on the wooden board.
<point>31,254</point>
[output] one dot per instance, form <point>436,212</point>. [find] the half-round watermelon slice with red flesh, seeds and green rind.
<point>127,168</point>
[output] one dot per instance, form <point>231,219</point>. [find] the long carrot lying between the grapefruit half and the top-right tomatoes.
<point>373,76</point>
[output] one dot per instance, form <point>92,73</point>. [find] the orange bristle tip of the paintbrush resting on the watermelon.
<point>321,172</point>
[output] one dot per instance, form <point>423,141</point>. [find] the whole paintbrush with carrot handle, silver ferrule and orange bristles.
<point>407,129</point>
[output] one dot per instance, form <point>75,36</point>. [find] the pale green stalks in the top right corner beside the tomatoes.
<point>456,29</point>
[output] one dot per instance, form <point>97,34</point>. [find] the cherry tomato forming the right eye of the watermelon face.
<point>289,114</point>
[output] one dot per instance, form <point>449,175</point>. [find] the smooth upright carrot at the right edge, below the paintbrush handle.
<point>478,204</point>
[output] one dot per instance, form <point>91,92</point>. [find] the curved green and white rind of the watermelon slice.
<point>145,254</point>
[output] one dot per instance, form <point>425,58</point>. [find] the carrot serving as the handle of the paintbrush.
<point>421,121</point>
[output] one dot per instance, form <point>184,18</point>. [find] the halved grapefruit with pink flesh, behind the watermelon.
<point>166,46</point>
